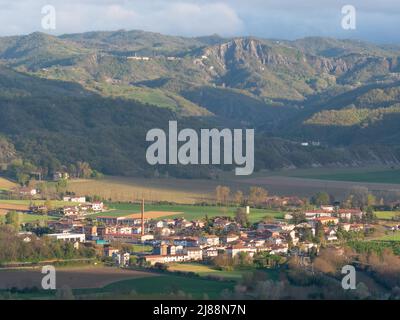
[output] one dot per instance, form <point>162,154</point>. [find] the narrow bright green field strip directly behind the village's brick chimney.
<point>190,212</point>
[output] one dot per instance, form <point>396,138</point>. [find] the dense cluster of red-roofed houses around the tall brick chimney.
<point>179,240</point>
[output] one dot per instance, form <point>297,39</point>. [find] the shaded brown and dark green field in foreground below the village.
<point>113,283</point>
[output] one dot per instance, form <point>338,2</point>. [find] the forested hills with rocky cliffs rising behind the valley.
<point>93,96</point>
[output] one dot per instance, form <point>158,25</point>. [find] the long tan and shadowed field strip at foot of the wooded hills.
<point>299,182</point>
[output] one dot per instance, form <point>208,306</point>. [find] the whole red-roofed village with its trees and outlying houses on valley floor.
<point>174,240</point>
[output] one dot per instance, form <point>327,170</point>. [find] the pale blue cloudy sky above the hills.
<point>377,21</point>
